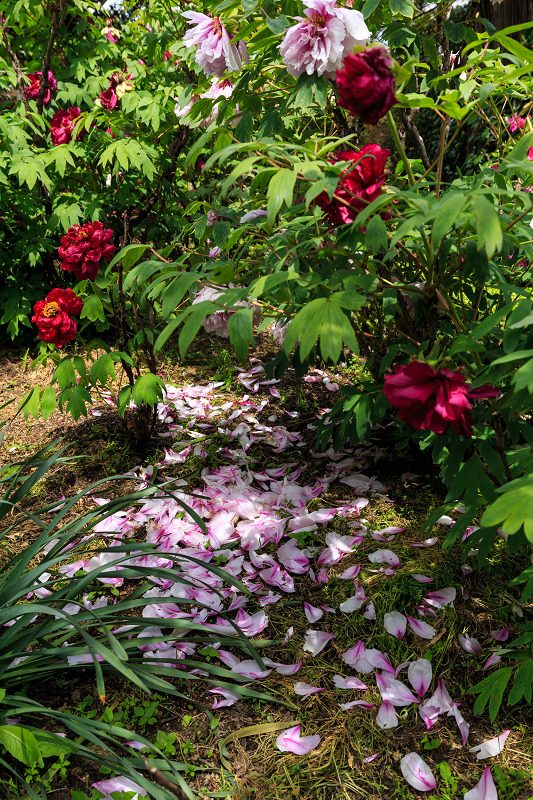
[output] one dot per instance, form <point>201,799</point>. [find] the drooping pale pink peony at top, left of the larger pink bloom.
<point>215,53</point>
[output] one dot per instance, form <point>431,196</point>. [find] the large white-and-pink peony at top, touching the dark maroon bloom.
<point>321,39</point>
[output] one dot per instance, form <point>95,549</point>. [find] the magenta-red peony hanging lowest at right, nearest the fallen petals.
<point>427,399</point>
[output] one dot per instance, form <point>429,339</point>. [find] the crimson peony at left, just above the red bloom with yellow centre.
<point>82,248</point>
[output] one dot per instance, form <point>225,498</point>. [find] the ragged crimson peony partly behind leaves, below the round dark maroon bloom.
<point>359,184</point>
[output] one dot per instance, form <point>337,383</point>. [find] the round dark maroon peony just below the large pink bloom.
<point>367,84</point>
